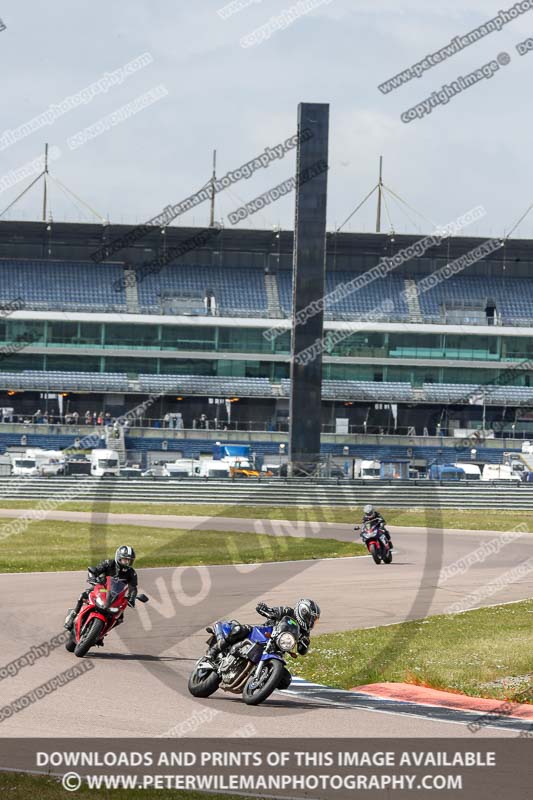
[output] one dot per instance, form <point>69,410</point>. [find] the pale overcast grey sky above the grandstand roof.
<point>474,150</point>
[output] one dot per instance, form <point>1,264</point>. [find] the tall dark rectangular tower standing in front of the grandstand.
<point>309,265</point>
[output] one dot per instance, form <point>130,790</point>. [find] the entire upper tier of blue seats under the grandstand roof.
<point>86,286</point>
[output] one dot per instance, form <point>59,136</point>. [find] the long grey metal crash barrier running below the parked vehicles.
<point>393,494</point>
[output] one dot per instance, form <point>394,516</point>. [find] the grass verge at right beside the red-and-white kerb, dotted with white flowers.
<point>462,653</point>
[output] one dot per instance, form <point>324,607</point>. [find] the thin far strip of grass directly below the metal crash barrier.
<point>472,519</point>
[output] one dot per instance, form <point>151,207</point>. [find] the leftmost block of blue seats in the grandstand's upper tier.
<point>74,286</point>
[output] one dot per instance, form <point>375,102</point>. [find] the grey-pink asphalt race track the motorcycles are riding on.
<point>138,683</point>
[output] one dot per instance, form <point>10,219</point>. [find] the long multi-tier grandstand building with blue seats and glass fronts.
<point>108,332</point>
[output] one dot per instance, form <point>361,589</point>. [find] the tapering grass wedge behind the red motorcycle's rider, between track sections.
<point>49,545</point>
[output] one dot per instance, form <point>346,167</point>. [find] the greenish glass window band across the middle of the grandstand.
<point>379,346</point>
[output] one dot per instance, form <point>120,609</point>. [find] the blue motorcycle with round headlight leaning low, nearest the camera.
<point>254,665</point>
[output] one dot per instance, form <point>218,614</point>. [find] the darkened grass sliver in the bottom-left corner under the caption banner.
<point>21,787</point>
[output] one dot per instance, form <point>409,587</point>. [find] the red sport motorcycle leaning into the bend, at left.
<point>103,611</point>
